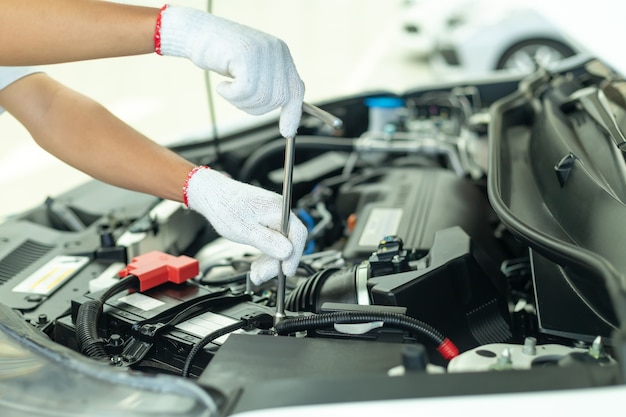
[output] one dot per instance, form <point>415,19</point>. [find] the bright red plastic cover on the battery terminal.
<point>156,268</point>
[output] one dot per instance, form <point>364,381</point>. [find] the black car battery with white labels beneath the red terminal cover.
<point>159,328</point>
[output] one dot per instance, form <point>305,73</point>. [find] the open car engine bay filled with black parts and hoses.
<point>463,241</point>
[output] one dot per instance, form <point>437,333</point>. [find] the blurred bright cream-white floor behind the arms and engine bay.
<point>340,48</point>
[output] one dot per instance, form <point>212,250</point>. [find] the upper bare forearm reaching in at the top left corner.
<point>73,30</point>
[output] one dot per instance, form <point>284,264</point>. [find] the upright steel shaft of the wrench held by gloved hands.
<point>286,213</point>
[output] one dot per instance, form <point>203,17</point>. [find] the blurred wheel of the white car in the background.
<point>528,55</point>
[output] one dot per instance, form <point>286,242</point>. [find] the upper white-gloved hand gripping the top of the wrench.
<point>264,75</point>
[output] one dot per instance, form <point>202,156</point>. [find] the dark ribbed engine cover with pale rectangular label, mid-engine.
<point>412,203</point>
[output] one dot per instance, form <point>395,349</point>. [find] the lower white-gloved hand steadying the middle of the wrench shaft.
<point>247,214</point>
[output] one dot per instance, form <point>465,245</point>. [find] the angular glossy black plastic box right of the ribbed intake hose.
<point>461,292</point>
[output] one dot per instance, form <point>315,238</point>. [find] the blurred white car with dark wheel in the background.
<point>485,36</point>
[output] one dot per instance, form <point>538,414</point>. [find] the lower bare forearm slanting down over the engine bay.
<point>82,133</point>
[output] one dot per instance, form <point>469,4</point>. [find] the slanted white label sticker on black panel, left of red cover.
<point>52,275</point>
